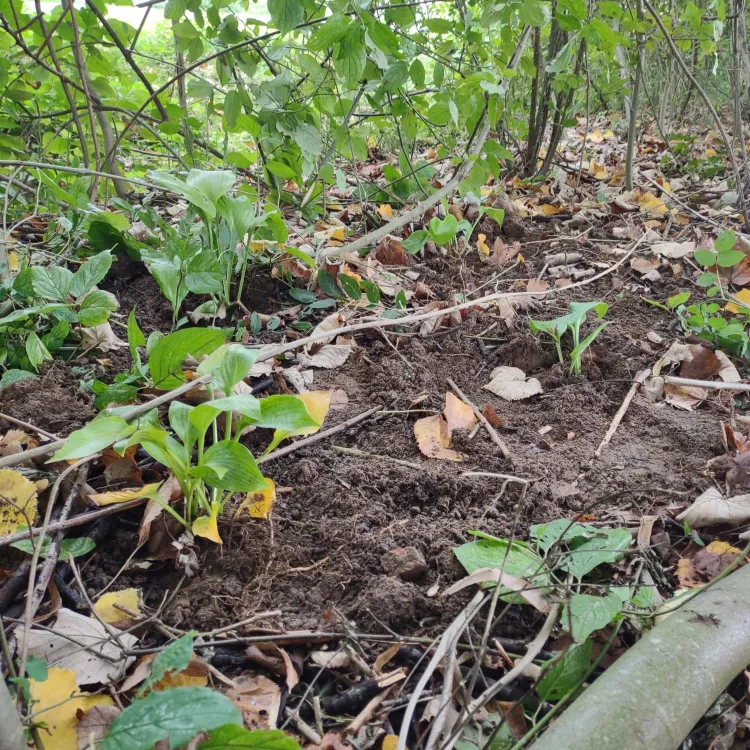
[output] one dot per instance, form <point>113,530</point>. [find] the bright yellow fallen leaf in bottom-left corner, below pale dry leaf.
<point>54,706</point>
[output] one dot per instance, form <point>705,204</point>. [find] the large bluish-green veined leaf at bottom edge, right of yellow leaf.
<point>177,714</point>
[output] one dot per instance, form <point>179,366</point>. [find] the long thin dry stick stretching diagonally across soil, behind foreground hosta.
<point>283,348</point>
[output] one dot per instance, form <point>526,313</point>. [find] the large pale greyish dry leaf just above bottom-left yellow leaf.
<point>88,665</point>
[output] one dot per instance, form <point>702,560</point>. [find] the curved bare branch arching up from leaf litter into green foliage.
<point>474,147</point>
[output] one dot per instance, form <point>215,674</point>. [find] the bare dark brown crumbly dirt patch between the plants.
<point>320,553</point>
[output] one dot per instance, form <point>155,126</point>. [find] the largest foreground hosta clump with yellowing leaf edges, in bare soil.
<point>202,448</point>
